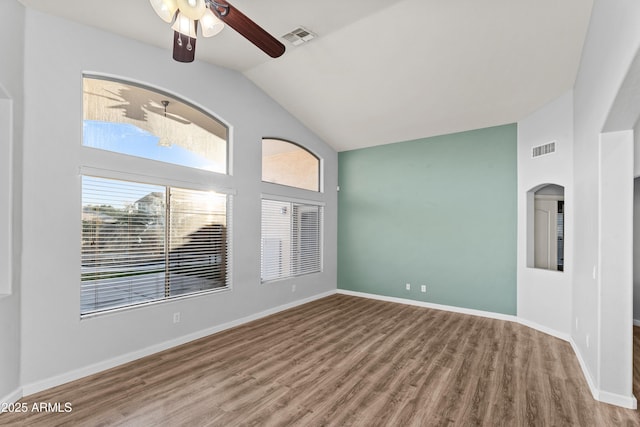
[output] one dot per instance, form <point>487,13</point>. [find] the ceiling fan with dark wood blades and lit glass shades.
<point>210,16</point>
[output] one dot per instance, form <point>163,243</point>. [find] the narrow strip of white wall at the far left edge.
<point>11,84</point>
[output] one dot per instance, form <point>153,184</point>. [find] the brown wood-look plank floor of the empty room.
<point>344,360</point>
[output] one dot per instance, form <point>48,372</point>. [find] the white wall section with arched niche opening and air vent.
<point>544,296</point>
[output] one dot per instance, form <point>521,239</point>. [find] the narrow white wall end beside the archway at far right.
<point>615,263</point>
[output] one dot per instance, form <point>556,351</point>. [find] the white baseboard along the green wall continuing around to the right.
<point>599,395</point>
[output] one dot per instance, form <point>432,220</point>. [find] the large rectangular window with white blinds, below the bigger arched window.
<point>143,243</point>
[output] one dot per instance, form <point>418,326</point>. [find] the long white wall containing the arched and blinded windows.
<point>57,345</point>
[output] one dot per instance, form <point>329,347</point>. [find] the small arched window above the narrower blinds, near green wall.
<point>286,163</point>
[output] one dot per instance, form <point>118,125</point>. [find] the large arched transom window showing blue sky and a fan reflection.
<point>142,122</point>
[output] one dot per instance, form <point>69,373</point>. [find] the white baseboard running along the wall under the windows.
<point>57,380</point>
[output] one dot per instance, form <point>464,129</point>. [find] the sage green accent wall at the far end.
<point>439,211</point>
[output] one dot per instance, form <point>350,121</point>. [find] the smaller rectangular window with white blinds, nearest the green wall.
<point>291,239</point>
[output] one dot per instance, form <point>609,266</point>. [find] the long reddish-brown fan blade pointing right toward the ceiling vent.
<point>249,29</point>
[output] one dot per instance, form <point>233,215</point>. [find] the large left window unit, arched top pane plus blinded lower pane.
<point>151,236</point>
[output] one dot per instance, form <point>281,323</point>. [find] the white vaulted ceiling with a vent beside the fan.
<point>384,71</point>
